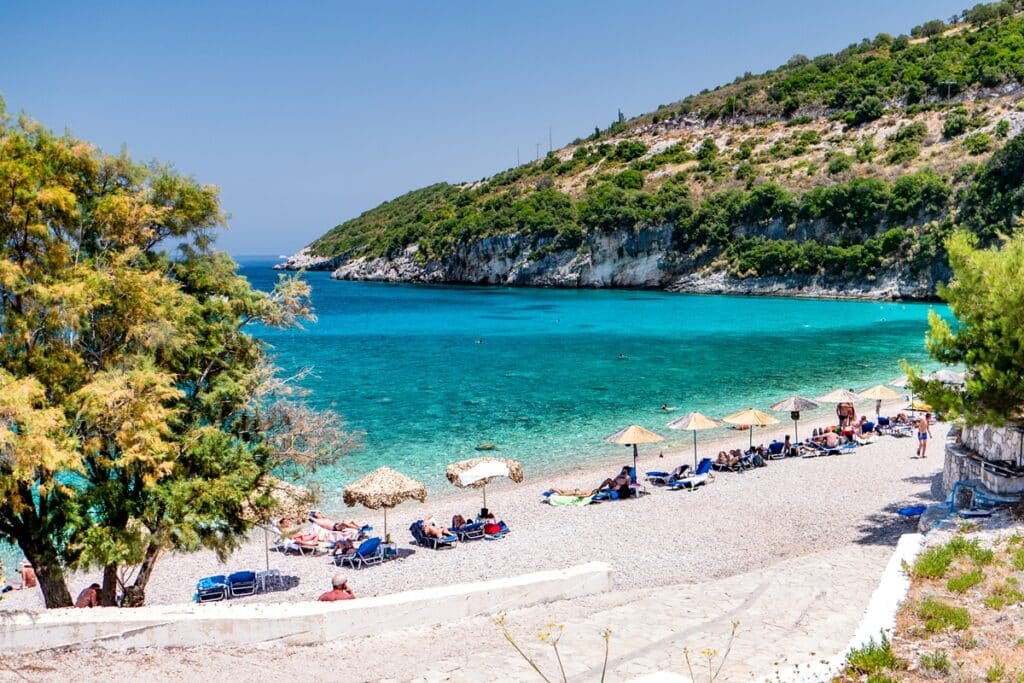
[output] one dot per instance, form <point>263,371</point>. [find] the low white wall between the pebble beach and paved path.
<point>301,624</point>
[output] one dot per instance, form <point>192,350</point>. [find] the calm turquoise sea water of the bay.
<point>429,373</point>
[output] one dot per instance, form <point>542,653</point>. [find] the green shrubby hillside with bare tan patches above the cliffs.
<point>844,164</point>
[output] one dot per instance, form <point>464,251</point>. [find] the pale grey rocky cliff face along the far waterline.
<point>621,260</point>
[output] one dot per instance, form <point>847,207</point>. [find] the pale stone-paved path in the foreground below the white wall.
<point>796,613</point>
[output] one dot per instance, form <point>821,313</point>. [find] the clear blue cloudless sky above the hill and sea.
<point>310,113</point>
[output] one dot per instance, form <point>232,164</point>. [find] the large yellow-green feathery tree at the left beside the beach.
<point>133,418</point>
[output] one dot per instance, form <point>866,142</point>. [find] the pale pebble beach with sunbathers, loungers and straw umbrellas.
<point>739,523</point>
